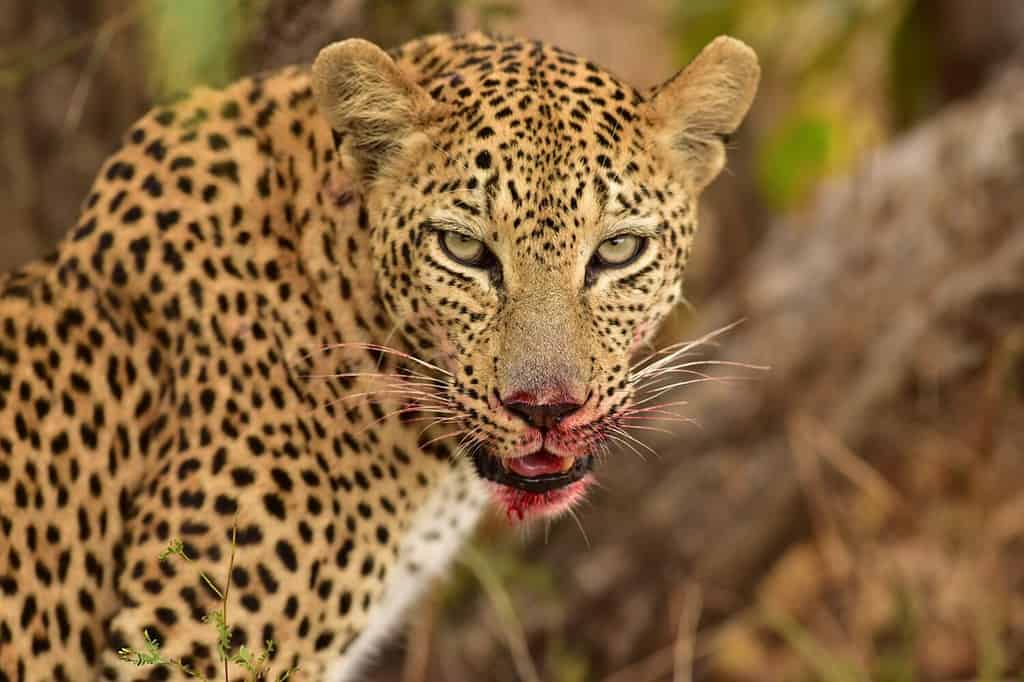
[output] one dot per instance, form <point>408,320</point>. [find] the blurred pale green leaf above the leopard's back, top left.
<point>196,42</point>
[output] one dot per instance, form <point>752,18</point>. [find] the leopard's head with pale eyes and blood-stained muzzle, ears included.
<point>532,219</point>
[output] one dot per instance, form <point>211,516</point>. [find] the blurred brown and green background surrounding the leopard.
<point>852,515</point>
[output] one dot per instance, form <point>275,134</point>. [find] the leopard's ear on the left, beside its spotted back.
<point>374,110</point>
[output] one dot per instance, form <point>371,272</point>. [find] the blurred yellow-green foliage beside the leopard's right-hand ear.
<point>839,77</point>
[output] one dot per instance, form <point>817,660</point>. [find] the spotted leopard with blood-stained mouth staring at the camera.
<point>314,325</point>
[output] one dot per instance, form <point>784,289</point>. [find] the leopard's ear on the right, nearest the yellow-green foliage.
<point>701,107</point>
